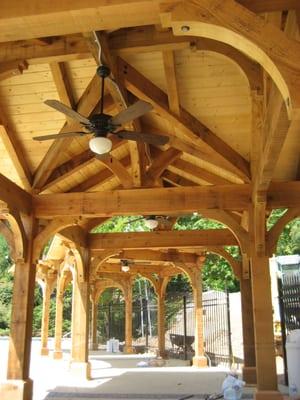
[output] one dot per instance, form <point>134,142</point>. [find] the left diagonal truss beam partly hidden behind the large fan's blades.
<point>85,106</point>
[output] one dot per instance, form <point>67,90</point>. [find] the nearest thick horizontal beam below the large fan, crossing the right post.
<point>157,201</point>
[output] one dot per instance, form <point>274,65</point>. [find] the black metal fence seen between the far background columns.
<point>180,325</point>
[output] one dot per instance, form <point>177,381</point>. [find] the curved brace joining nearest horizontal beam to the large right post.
<point>227,219</point>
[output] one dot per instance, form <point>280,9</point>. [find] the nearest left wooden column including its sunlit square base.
<point>18,385</point>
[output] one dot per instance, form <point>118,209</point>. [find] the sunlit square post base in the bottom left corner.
<point>16,389</point>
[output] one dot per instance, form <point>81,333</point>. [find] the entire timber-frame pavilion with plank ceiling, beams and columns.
<point>223,78</point>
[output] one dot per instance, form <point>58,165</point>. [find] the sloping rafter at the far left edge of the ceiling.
<point>15,152</point>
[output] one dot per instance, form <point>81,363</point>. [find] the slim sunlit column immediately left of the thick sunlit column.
<point>57,354</point>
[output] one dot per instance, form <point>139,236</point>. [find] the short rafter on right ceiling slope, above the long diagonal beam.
<point>170,74</point>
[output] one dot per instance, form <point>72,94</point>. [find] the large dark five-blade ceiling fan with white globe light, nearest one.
<point>100,125</point>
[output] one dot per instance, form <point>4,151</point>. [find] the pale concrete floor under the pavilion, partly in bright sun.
<point>118,377</point>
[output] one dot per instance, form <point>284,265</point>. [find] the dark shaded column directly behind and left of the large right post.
<point>249,369</point>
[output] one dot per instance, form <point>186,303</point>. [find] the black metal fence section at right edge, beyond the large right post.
<point>289,305</point>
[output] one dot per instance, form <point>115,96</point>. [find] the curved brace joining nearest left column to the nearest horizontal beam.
<point>56,225</point>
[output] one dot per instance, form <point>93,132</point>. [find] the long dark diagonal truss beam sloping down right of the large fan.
<point>192,128</point>
